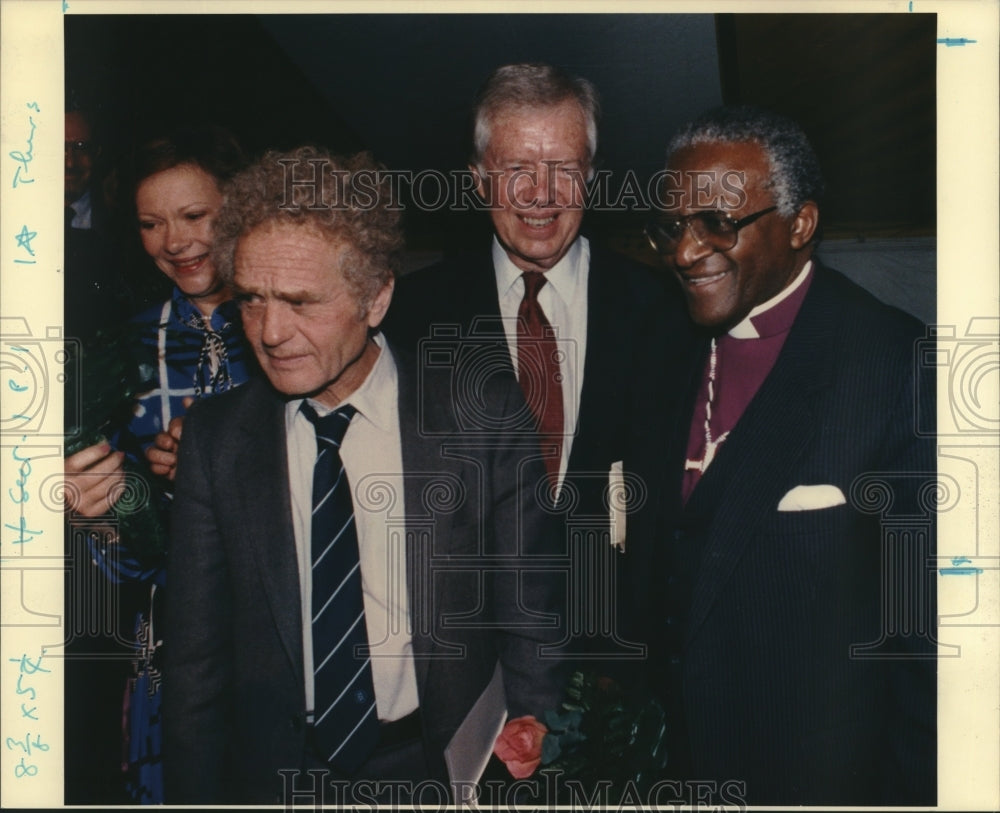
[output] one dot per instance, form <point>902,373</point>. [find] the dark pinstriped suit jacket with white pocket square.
<point>794,649</point>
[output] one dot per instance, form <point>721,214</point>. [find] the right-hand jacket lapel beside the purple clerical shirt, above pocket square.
<point>744,484</point>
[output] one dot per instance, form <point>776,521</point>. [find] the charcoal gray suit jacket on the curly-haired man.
<point>233,684</point>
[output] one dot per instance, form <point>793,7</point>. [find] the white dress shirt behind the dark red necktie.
<point>563,299</point>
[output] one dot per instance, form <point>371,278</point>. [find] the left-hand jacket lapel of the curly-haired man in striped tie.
<point>261,466</point>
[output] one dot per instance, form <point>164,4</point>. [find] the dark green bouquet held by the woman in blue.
<point>109,380</point>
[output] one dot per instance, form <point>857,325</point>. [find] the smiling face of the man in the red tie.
<point>536,164</point>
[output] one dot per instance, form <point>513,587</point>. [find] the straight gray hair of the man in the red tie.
<point>531,85</point>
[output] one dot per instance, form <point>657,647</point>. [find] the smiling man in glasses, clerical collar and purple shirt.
<point>782,571</point>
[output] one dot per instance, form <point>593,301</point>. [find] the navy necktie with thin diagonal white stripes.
<point>346,719</point>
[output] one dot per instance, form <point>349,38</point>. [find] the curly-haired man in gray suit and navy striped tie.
<point>318,517</point>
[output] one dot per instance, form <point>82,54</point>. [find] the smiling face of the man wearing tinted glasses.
<point>722,287</point>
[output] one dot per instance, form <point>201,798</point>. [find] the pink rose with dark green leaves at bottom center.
<point>599,733</point>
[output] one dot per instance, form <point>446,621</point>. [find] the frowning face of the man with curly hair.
<point>300,316</point>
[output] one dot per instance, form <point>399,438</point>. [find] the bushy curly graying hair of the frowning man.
<point>345,198</point>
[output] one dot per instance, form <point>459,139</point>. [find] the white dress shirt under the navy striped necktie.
<point>373,460</point>
